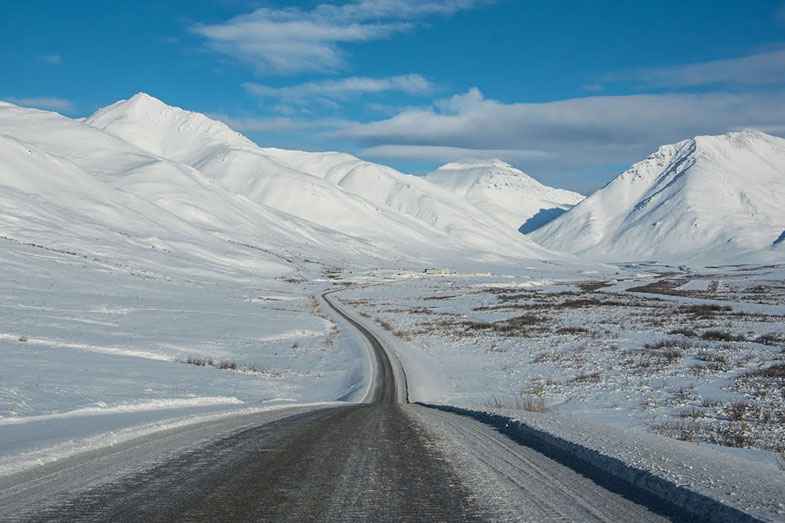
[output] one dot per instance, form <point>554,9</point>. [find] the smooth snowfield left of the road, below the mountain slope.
<point>93,351</point>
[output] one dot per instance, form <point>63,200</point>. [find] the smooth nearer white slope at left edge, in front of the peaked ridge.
<point>70,186</point>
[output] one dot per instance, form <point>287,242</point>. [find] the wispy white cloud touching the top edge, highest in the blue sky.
<point>293,40</point>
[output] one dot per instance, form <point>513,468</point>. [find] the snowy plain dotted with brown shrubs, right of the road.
<point>693,354</point>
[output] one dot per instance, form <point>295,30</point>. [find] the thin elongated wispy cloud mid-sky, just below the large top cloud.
<point>412,84</point>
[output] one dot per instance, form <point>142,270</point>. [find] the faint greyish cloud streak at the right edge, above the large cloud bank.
<point>754,70</point>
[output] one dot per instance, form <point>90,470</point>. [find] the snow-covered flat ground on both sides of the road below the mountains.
<point>96,355</point>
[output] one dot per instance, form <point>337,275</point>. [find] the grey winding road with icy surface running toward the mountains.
<point>382,460</point>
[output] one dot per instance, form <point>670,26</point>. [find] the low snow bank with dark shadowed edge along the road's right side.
<point>702,481</point>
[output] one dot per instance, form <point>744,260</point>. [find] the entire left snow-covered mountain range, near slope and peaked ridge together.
<point>157,186</point>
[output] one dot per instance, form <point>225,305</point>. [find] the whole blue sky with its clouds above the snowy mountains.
<point>571,92</point>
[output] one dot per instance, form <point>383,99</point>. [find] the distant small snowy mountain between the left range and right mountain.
<point>503,191</point>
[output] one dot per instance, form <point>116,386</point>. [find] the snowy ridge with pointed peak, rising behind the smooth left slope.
<point>393,211</point>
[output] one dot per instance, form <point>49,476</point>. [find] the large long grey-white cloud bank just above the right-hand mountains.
<point>581,132</point>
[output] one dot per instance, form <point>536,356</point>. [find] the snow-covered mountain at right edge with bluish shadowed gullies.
<point>711,198</point>
